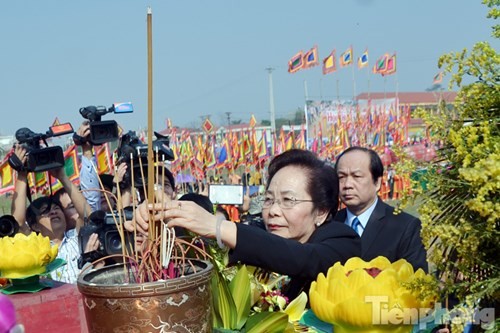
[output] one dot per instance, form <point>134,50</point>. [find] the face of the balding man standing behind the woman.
<point>356,187</point>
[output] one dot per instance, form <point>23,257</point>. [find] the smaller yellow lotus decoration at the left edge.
<point>23,256</point>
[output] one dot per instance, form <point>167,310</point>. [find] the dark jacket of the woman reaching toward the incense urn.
<point>331,242</point>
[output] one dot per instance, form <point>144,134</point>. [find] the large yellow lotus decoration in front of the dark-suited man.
<point>375,296</point>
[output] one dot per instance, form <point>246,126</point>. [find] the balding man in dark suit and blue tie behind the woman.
<point>383,233</point>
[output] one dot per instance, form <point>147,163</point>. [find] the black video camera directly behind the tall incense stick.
<point>131,148</point>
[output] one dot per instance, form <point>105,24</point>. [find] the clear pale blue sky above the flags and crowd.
<point>210,56</point>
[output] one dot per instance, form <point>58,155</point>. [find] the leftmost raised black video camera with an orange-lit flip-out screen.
<point>40,159</point>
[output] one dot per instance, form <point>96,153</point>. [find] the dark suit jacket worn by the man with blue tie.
<point>391,236</point>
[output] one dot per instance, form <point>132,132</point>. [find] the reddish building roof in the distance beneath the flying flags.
<point>428,97</point>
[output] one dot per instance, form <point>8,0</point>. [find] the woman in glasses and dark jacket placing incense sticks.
<point>300,200</point>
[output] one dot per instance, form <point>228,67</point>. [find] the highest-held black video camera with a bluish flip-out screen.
<point>106,130</point>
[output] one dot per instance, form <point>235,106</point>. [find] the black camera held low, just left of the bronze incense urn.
<point>103,224</point>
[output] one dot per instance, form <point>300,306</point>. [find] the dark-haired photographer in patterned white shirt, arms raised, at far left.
<point>45,216</point>
